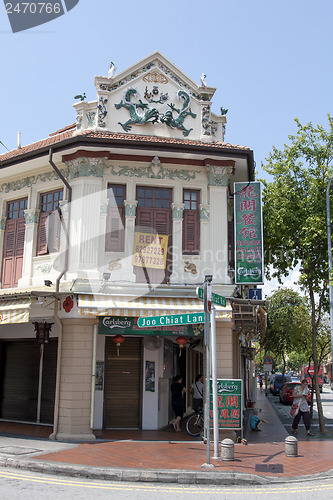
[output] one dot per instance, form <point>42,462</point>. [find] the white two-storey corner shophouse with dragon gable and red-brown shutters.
<point>81,215</point>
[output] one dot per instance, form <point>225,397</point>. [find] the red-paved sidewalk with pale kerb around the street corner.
<point>175,458</point>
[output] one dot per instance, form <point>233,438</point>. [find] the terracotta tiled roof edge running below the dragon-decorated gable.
<point>68,132</point>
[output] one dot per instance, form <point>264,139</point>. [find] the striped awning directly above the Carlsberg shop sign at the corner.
<point>115,305</point>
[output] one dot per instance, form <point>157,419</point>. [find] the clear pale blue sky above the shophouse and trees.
<point>270,62</point>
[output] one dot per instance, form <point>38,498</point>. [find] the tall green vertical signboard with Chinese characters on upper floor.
<point>249,262</point>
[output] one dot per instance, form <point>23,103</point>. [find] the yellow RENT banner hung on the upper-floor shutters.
<point>150,250</point>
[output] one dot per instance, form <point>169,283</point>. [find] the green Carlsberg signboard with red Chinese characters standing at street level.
<point>229,404</point>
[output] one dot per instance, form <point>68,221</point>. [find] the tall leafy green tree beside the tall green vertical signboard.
<point>294,213</point>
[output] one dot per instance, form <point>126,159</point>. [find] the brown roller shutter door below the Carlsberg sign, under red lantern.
<point>122,408</point>
